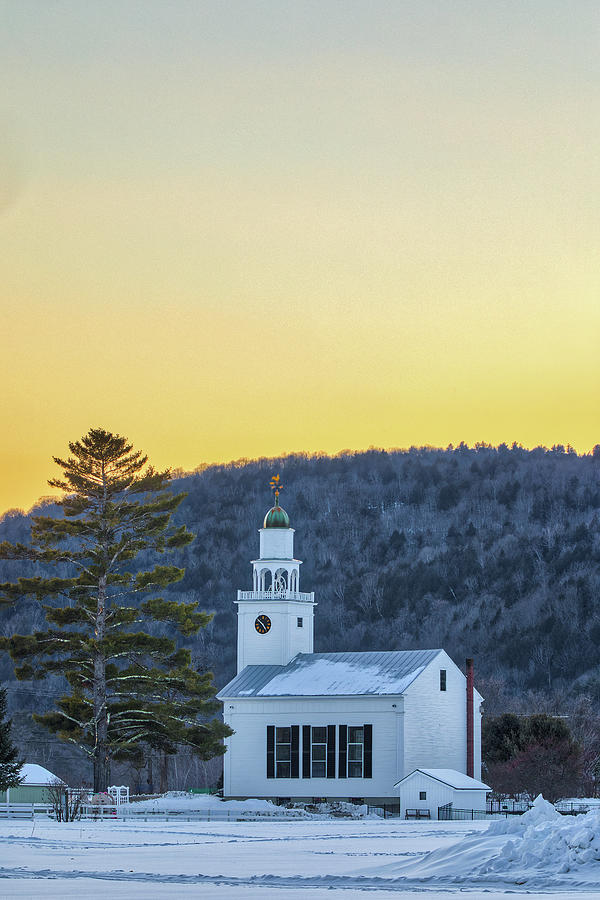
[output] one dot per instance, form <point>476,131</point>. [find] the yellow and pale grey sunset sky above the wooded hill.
<point>244,228</point>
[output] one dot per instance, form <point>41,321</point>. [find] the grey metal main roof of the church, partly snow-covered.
<point>332,674</point>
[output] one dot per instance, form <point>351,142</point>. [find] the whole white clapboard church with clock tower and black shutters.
<point>340,726</point>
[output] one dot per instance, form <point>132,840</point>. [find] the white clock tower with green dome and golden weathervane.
<point>275,619</point>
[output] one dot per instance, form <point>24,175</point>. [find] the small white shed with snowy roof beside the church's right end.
<point>425,790</point>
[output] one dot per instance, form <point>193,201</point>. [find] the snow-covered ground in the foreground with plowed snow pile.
<point>541,854</point>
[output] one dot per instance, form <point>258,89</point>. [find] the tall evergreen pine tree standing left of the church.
<point>127,687</point>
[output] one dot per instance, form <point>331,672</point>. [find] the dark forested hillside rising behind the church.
<point>487,552</point>
